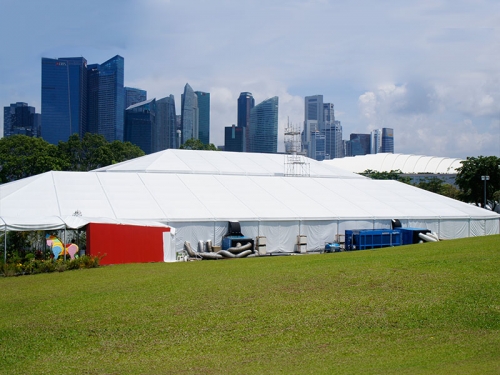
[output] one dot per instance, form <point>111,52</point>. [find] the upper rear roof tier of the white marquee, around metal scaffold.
<point>221,163</point>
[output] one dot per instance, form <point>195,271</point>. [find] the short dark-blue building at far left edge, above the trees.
<point>20,118</point>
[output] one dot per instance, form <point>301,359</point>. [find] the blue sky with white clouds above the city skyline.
<point>429,69</point>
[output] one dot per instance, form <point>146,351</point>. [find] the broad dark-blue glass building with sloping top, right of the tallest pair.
<point>140,125</point>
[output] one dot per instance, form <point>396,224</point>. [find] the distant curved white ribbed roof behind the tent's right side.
<point>406,163</point>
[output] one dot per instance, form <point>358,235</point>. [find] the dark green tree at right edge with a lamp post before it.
<point>469,178</point>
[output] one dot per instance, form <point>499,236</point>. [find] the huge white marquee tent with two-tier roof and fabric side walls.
<point>198,192</point>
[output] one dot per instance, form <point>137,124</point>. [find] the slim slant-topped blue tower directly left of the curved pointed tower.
<point>165,135</point>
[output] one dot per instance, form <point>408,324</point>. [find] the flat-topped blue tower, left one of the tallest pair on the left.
<point>64,98</point>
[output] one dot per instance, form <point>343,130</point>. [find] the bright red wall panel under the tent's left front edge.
<point>125,243</point>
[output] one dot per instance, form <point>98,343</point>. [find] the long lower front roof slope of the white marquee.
<point>169,197</point>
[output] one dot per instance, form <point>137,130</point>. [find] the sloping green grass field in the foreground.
<point>422,309</point>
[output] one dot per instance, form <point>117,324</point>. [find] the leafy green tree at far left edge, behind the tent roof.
<point>22,156</point>
